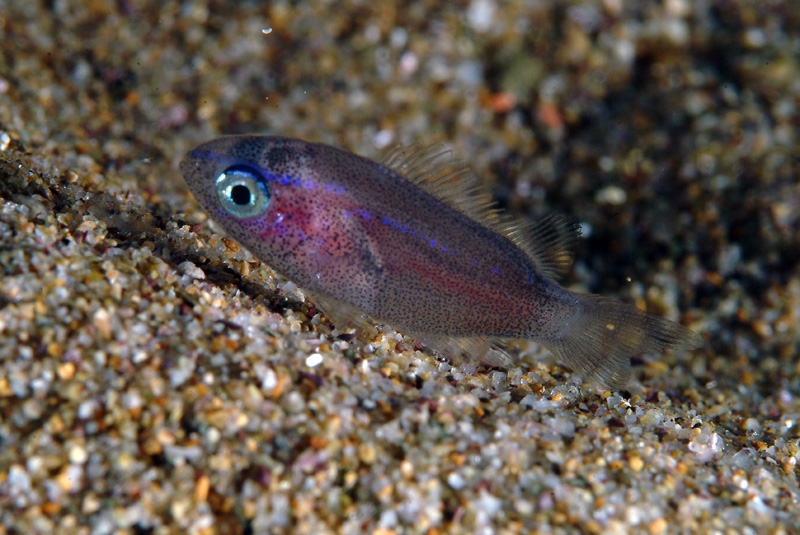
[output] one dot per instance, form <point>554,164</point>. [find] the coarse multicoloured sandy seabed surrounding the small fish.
<point>158,379</point>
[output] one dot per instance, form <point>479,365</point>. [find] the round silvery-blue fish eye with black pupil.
<point>242,191</point>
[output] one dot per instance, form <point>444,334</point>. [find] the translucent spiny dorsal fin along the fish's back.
<point>548,242</point>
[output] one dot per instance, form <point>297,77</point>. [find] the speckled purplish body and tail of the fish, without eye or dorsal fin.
<point>351,229</point>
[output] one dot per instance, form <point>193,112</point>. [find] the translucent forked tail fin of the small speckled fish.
<point>600,339</point>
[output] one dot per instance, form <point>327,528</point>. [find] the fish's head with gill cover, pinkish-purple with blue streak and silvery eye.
<point>279,198</point>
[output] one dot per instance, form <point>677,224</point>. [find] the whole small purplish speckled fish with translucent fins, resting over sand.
<point>413,242</point>
